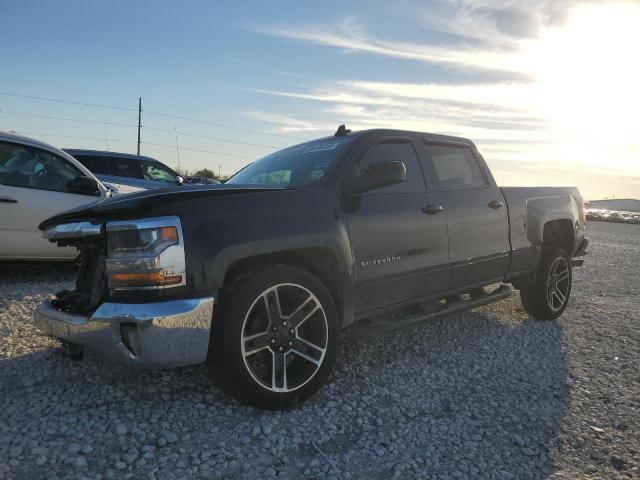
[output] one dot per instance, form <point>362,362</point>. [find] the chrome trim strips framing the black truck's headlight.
<point>171,260</point>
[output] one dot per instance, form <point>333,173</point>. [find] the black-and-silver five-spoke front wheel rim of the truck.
<point>284,337</point>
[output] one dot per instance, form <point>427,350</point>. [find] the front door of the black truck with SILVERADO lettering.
<point>400,251</point>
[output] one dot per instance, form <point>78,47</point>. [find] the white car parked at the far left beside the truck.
<point>36,182</point>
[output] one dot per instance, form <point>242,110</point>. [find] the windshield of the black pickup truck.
<point>295,166</point>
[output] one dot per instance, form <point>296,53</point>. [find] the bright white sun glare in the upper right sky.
<point>588,73</point>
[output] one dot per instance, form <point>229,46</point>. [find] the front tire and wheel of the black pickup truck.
<point>274,341</point>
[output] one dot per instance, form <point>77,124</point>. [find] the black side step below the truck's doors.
<point>368,330</point>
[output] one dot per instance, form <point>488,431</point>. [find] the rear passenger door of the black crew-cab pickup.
<point>476,214</point>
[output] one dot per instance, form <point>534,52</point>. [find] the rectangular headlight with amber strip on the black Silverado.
<point>145,254</point>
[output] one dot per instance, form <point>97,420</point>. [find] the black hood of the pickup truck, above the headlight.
<point>123,204</point>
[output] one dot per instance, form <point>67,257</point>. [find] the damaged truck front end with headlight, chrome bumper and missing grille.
<point>128,304</point>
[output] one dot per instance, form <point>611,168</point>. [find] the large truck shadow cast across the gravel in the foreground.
<point>463,397</point>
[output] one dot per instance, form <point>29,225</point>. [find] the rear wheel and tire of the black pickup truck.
<point>548,296</point>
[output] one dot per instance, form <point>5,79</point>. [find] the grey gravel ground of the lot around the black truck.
<point>488,394</point>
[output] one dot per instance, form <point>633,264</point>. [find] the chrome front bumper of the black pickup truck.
<point>146,335</point>
